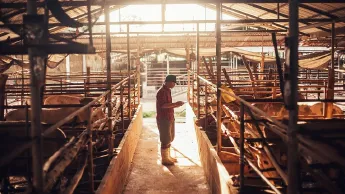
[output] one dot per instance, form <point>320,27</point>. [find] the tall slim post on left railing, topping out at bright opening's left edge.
<point>108,61</point>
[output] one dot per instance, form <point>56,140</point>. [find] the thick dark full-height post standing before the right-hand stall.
<point>293,164</point>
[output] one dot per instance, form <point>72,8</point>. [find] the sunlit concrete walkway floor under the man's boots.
<point>149,176</point>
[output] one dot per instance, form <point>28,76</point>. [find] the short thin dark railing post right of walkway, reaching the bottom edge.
<point>242,149</point>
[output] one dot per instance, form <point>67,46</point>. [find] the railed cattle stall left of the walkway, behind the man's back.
<point>81,141</point>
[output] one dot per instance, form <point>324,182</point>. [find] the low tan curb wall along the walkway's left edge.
<point>114,180</point>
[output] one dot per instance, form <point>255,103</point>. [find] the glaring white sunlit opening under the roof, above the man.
<point>175,12</point>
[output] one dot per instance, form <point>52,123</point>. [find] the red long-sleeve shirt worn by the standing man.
<point>164,96</point>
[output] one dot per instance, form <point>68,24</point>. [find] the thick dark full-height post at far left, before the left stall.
<point>37,59</point>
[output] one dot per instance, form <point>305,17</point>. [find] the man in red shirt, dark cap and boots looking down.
<point>165,118</point>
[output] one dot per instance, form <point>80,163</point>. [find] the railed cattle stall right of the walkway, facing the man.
<point>252,145</point>
